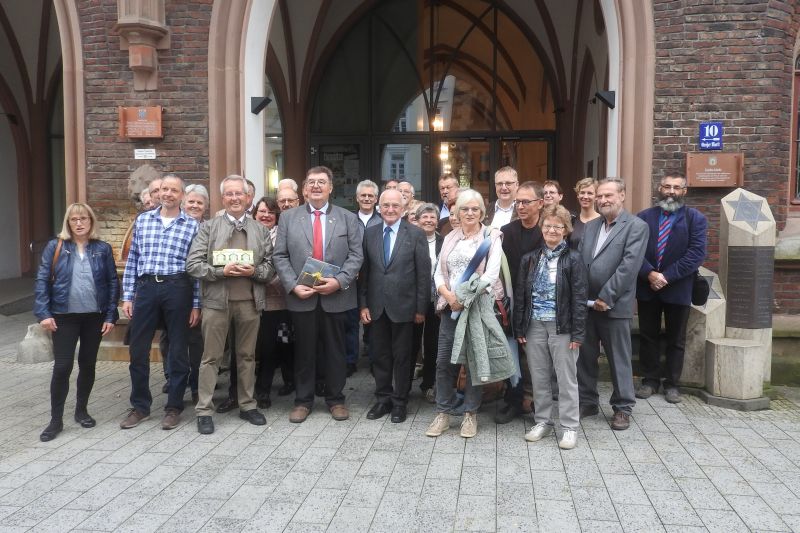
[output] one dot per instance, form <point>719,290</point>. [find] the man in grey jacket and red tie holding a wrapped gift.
<point>331,234</point>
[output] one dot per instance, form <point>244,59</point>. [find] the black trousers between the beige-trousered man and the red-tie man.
<point>271,354</point>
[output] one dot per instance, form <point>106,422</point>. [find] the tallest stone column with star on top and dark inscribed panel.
<point>747,257</point>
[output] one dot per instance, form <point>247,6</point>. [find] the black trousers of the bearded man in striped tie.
<point>675,319</point>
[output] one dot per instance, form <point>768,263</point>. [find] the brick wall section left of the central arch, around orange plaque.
<point>182,91</point>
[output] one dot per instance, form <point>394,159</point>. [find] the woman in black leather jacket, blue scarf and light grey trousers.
<point>549,321</point>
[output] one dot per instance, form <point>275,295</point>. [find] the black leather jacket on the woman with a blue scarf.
<point>571,291</point>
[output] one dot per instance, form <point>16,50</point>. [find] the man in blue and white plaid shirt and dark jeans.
<point>155,288</point>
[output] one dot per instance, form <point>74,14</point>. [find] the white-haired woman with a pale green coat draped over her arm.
<point>472,248</point>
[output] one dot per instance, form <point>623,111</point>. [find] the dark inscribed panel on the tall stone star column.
<point>749,287</point>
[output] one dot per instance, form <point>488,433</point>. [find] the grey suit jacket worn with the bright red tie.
<point>342,246</point>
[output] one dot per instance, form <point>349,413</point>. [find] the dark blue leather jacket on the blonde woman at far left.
<point>53,298</point>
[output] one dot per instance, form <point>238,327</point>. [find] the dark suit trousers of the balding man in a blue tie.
<point>392,359</point>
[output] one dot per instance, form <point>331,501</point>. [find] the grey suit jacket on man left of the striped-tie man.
<point>613,271</point>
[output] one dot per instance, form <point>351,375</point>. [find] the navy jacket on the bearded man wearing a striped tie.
<point>683,255</point>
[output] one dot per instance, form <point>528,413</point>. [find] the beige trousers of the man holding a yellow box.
<point>215,326</point>
